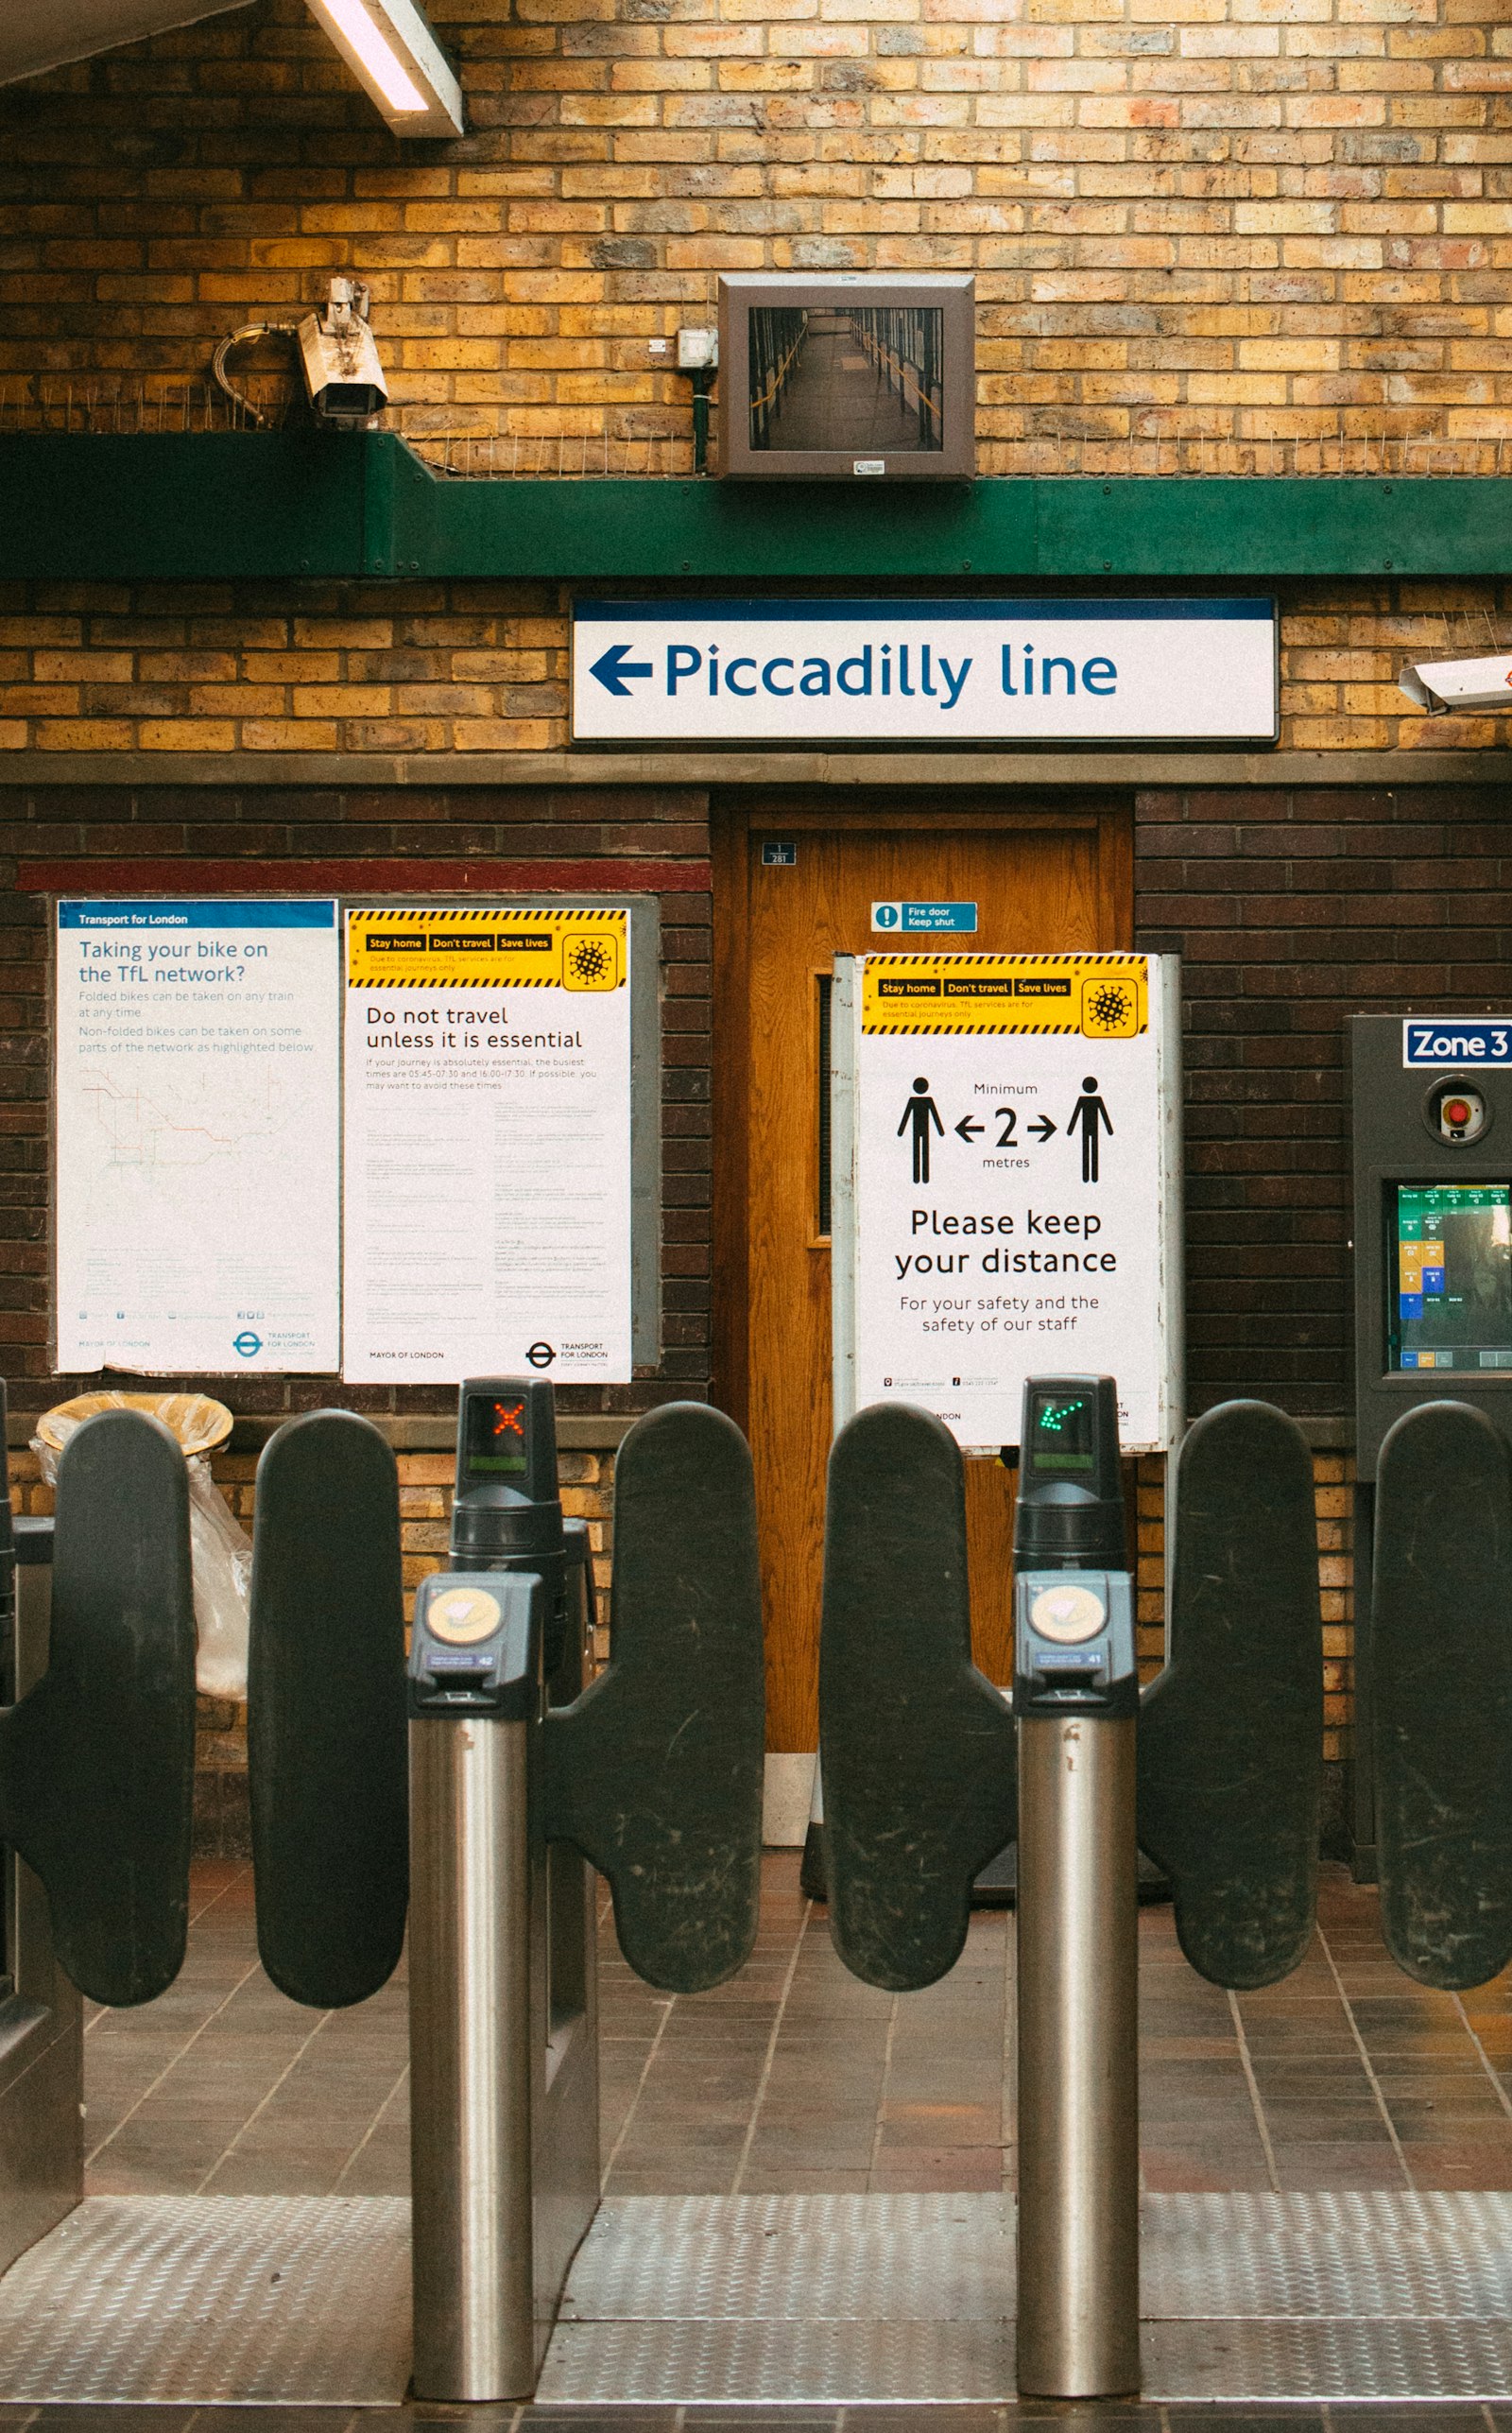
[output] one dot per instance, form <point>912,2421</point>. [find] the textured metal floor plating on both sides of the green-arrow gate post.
<point>910,2298</point>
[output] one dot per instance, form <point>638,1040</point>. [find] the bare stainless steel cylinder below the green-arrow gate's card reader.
<point>1078,2060</point>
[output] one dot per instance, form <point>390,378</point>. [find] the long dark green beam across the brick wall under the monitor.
<point>346,505</point>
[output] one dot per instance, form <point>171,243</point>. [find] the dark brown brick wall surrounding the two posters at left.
<point>504,838</point>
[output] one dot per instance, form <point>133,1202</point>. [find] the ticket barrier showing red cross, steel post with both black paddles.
<point>517,1777</point>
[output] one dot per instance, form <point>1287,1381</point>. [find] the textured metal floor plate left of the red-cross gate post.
<point>213,2300</point>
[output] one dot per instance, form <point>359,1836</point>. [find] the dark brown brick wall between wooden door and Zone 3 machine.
<point>1294,911</point>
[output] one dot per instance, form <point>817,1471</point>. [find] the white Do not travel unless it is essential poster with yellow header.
<point>487,1189</point>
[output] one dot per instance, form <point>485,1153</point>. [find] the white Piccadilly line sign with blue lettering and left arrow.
<point>998,670</point>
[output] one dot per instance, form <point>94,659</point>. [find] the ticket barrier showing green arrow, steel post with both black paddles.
<point>930,1772</point>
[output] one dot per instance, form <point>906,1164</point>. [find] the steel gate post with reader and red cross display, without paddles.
<point>504,2001</point>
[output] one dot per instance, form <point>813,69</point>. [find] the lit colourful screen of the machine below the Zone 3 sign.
<point>1450,1276</point>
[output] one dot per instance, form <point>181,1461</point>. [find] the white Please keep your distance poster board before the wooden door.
<point>1008,1186</point>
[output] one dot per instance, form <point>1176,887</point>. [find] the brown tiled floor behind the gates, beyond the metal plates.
<point>796,2079</point>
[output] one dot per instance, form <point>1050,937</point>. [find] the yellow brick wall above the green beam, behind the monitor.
<point>1241,218</point>
